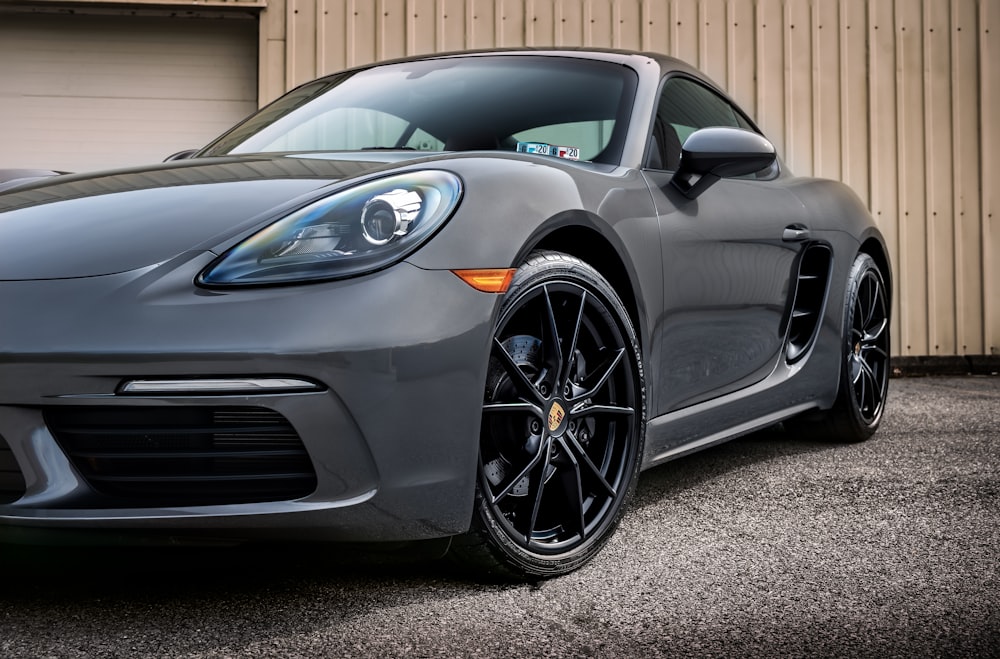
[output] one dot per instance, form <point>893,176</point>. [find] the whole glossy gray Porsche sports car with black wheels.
<point>463,296</point>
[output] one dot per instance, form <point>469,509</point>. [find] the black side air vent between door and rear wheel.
<point>811,287</point>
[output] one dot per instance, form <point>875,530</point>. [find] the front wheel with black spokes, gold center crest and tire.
<point>563,424</point>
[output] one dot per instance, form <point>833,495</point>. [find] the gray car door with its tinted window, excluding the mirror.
<point>727,264</point>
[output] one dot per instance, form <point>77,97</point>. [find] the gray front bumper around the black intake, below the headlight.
<point>391,432</point>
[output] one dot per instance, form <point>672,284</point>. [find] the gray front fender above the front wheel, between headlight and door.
<point>515,204</point>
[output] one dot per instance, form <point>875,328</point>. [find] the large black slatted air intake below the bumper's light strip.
<point>156,456</point>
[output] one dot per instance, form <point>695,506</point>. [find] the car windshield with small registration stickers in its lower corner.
<point>451,104</point>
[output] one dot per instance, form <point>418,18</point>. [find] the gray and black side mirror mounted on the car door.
<point>720,152</point>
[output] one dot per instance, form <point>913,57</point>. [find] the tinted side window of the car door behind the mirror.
<point>684,107</point>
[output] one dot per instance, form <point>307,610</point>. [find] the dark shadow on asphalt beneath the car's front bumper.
<point>194,597</point>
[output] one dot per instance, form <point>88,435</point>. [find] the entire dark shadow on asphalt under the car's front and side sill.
<point>273,590</point>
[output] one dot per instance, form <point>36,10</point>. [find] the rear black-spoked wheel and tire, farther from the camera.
<point>864,372</point>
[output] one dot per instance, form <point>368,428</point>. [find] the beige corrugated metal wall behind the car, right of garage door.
<point>898,98</point>
